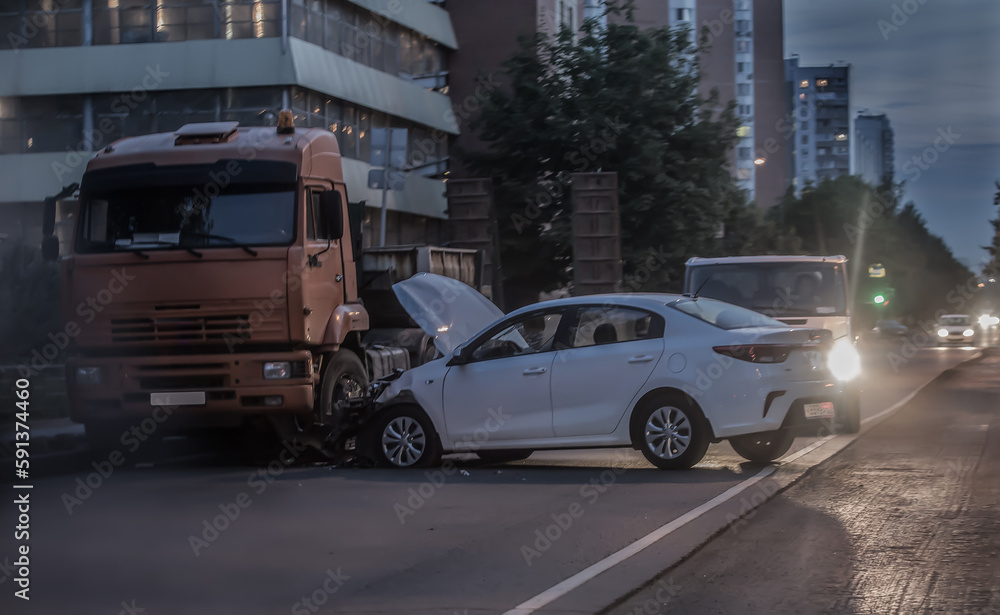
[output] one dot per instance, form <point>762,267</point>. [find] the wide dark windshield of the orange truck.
<point>185,217</point>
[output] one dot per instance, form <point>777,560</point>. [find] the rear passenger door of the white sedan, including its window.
<point>612,352</point>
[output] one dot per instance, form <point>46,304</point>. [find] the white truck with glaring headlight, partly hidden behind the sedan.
<point>802,291</point>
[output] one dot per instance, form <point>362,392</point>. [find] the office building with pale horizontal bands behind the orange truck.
<point>79,74</point>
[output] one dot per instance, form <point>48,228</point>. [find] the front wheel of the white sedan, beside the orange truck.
<point>404,438</point>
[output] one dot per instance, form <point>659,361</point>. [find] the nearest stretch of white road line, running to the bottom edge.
<point>557,591</point>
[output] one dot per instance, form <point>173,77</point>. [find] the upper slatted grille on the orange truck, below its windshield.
<point>179,328</point>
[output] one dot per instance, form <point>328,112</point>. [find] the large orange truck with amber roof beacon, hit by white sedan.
<point>215,276</point>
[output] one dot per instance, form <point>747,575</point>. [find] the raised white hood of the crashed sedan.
<point>449,311</point>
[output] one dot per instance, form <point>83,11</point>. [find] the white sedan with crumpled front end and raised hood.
<point>665,374</point>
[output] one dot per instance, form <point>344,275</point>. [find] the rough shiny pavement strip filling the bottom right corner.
<point>904,520</point>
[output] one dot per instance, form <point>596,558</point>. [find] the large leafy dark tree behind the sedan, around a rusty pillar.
<point>609,98</point>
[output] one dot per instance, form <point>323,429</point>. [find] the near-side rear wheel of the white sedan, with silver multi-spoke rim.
<point>671,432</point>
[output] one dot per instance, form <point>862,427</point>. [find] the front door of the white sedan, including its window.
<point>503,392</point>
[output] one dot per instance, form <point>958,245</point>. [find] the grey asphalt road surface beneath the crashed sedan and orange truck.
<point>199,534</point>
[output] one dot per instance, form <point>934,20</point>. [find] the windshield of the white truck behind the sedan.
<point>775,289</point>
